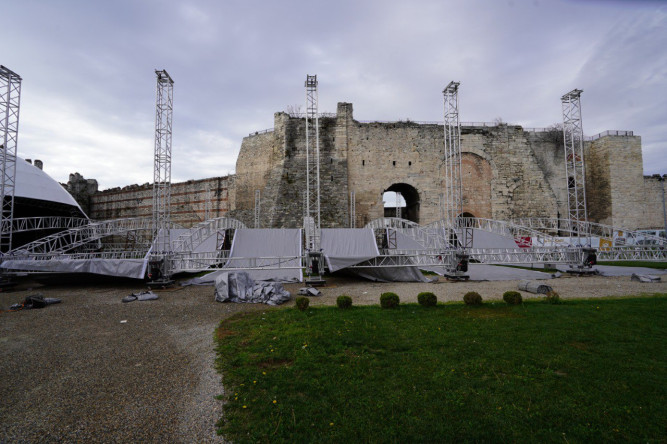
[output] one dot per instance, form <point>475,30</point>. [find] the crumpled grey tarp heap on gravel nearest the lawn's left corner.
<point>240,287</point>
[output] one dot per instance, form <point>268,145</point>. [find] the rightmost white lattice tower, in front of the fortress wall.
<point>573,137</point>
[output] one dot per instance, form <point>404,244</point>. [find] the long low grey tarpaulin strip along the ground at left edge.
<point>131,268</point>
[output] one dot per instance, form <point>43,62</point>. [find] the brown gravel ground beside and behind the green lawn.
<point>74,372</point>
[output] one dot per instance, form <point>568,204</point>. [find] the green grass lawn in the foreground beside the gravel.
<point>589,370</point>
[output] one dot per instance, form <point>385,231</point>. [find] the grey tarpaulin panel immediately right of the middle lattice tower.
<point>344,247</point>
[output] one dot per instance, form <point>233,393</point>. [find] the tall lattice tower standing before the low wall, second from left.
<point>162,169</point>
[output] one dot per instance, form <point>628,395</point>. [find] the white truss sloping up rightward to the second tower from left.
<point>72,238</point>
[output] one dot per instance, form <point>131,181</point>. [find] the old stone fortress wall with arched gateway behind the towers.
<point>507,173</point>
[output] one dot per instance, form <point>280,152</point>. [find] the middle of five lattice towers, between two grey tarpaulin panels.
<point>312,160</point>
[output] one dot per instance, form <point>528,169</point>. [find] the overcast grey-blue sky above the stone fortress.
<point>88,92</point>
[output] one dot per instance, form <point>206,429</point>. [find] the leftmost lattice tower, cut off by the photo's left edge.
<point>10,100</point>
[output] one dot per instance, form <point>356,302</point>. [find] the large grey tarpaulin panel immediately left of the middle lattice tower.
<point>276,249</point>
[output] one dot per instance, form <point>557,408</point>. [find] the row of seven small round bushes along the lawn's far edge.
<point>428,299</point>
